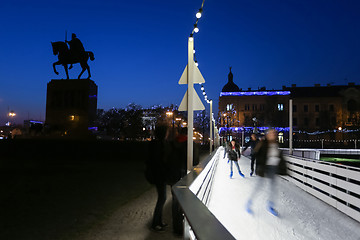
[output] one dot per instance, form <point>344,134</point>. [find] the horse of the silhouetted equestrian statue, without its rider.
<point>65,57</point>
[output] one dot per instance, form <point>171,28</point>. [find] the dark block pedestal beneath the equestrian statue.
<point>71,106</point>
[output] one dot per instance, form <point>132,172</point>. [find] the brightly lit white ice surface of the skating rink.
<point>301,216</point>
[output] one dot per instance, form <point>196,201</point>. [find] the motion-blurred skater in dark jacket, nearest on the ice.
<point>269,163</point>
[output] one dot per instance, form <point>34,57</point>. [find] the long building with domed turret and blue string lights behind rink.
<point>317,108</point>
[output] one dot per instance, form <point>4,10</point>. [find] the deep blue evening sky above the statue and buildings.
<point>141,47</point>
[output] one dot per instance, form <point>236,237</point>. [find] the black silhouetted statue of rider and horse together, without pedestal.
<point>76,54</point>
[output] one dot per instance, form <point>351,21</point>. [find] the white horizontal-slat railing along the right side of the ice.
<point>335,184</point>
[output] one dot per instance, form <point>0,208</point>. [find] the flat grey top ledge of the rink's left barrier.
<point>202,222</point>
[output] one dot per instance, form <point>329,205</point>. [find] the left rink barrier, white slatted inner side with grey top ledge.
<point>193,193</point>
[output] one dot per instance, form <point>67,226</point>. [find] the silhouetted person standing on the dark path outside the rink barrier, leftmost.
<point>156,174</point>
